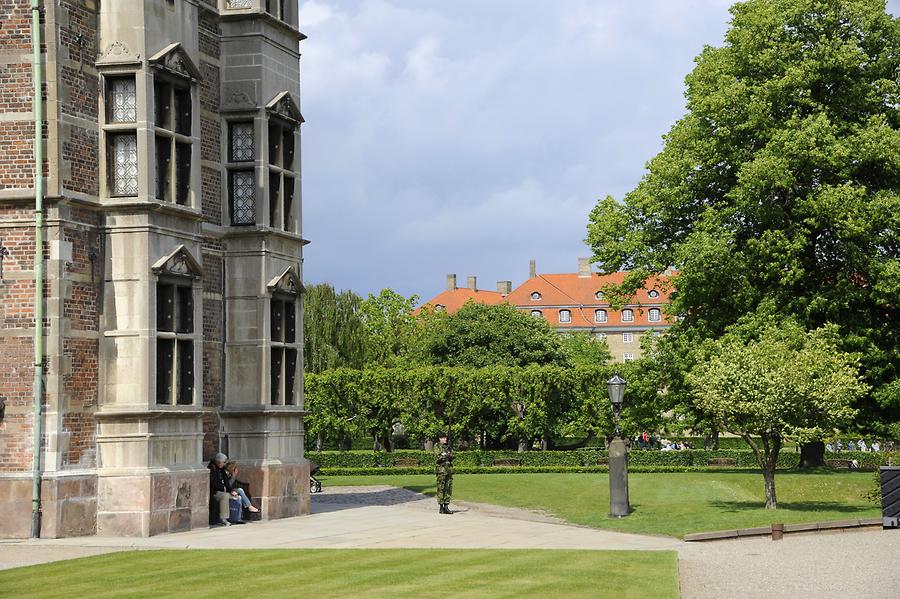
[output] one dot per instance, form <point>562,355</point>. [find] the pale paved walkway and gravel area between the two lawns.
<point>861,565</point>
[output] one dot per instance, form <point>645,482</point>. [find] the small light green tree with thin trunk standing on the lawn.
<point>786,384</point>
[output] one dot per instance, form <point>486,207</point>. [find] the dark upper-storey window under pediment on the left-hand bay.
<point>173,118</point>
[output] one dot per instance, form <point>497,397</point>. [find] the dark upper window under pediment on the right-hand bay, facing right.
<point>282,178</point>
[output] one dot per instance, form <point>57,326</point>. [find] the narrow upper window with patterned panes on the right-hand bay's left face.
<point>241,174</point>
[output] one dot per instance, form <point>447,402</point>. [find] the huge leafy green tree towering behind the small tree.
<point>780,186</point>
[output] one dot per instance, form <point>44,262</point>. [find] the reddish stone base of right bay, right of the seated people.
<point>282,489</point>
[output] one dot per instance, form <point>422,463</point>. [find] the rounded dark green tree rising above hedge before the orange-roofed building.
<point>479,335</point>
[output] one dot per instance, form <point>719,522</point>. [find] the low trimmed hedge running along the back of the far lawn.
<point>382,462</point>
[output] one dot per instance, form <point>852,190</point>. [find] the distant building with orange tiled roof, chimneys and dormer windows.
<point>572,302</point>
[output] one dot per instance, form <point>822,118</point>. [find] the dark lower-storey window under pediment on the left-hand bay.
<point>174,343</point>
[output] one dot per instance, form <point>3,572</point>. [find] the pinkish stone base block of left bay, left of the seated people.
<point>147,504</point>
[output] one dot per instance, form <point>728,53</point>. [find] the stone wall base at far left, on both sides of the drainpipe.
<point>68,506</point>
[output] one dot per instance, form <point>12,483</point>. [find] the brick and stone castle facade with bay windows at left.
<point>173,261</point>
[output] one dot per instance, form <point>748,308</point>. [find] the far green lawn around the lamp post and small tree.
<point>671,504</point>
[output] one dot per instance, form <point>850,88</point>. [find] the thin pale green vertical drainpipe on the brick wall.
<point>38,268</point>
